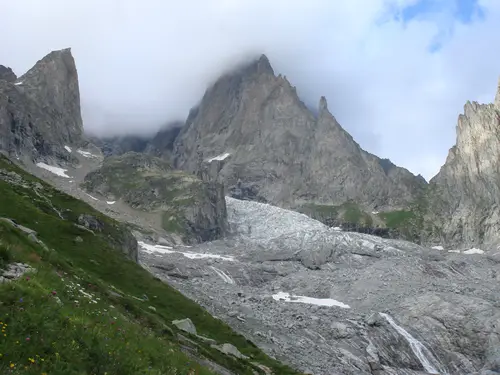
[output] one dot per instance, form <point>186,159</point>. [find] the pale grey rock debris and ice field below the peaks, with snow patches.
<point>332,302</point>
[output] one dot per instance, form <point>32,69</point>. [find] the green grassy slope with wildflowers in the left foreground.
<point>99,326</point>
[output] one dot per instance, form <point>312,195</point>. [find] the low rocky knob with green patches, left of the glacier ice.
<point>190,206</point>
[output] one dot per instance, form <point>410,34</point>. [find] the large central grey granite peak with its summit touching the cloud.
<point>278,151</point>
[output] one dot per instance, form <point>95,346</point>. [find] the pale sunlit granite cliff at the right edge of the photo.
<point>463,199</point>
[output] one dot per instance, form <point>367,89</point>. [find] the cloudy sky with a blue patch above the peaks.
<point>396,73</point>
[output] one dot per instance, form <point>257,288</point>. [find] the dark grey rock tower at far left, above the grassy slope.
<point>40,111</point>
